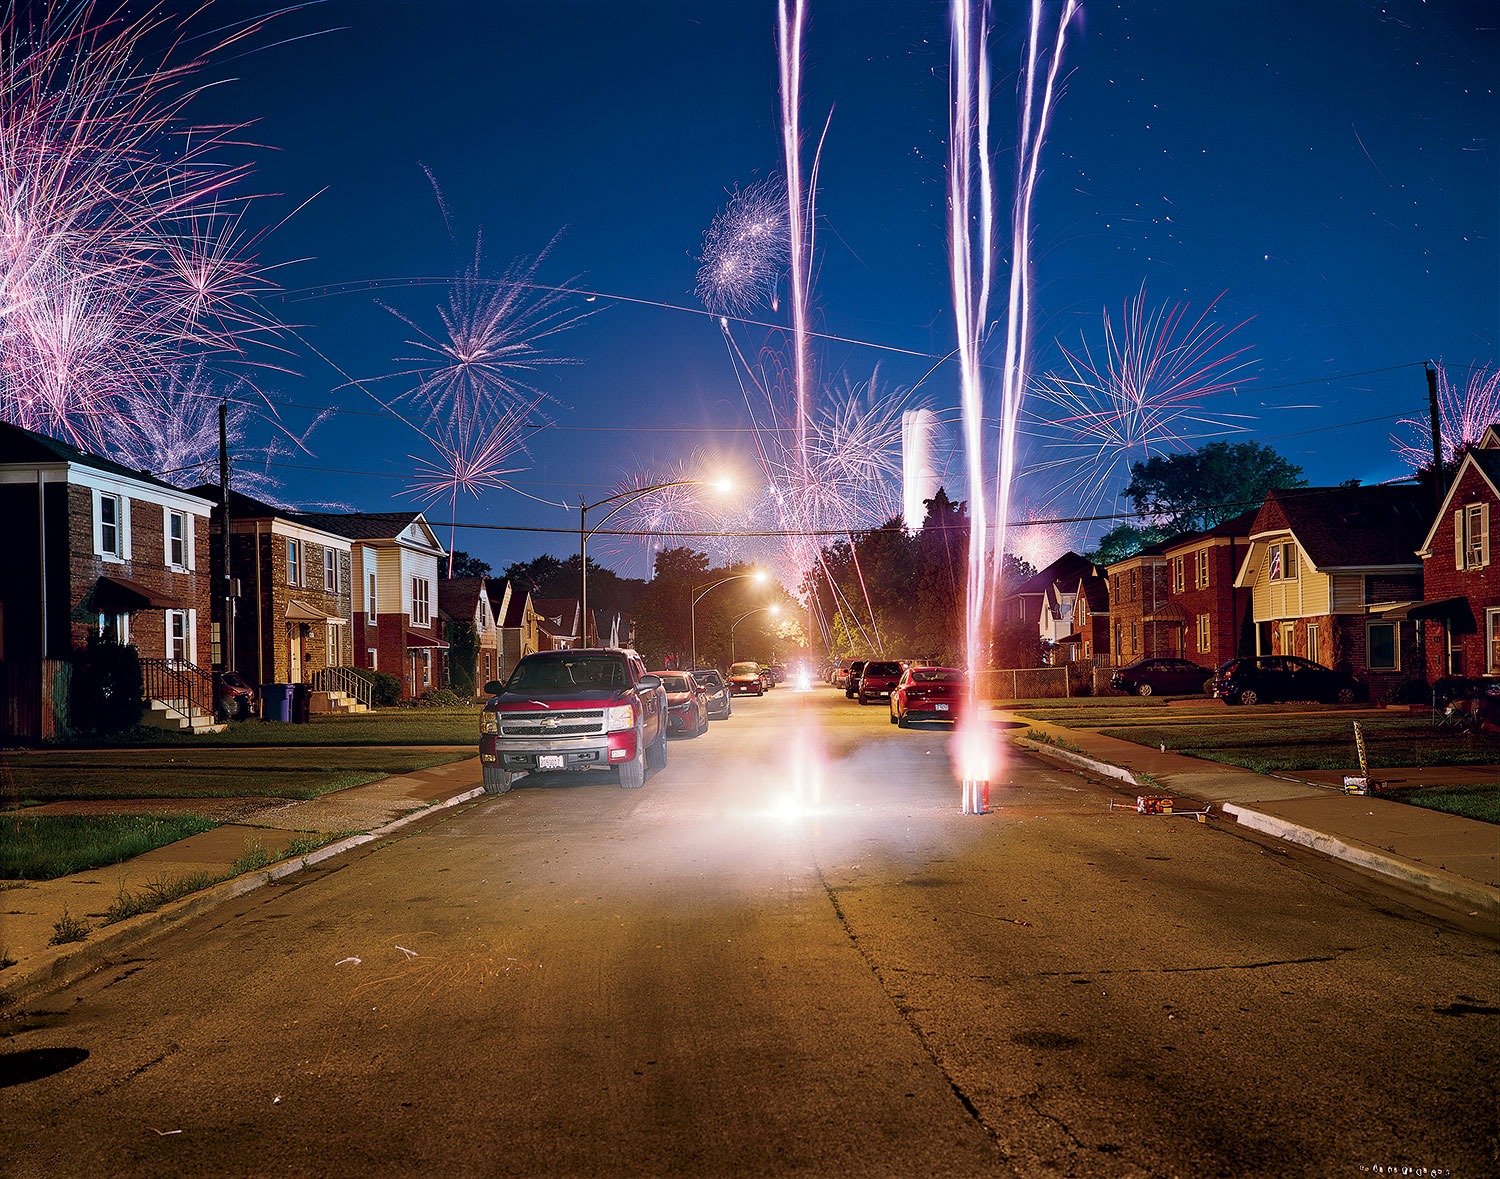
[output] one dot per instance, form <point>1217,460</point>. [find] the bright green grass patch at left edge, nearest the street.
<point>46,847</point>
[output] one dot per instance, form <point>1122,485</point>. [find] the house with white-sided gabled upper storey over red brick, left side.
<point>395,577</point>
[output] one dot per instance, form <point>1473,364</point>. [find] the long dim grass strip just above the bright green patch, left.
<point>203,773</point>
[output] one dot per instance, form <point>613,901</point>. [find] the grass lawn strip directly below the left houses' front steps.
<point>385,727</point>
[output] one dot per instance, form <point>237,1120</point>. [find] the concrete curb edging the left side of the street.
<point>68,964</point>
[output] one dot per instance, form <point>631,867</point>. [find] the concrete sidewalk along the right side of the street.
<point>1442,854</point>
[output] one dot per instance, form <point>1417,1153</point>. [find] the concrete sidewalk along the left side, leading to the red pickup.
<point>29,914</point>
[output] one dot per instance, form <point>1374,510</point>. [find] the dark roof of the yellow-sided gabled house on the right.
<point>1349,527</point>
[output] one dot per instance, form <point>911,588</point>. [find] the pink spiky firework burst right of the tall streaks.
<point>1139,392</point>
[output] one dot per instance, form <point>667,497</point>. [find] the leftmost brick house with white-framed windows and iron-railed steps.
<point>98,550</point>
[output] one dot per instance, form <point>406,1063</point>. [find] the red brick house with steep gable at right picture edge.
<point>1462,586</point>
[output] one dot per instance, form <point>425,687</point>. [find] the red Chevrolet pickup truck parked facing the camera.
<point>592,709</point>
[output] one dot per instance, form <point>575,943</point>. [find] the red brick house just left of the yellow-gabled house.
<point>1210,614</point>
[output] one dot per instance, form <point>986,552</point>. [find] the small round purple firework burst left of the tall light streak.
<point>746,251</point>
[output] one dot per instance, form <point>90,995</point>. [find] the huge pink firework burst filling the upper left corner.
<point>121,254</point>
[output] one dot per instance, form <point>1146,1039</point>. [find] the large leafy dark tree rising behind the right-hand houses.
<point>1199,490</point>
